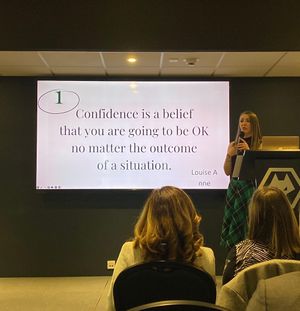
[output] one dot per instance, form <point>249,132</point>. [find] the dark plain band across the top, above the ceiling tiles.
<point>140,25</point>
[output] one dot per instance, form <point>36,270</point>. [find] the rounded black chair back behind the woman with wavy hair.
<point>162,280</point>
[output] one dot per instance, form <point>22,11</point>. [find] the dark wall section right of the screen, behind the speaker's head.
<point>275,100</point>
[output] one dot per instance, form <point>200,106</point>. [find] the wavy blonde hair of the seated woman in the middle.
<point>168,227</point>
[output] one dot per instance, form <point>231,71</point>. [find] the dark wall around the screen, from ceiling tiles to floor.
<point>75,232</point>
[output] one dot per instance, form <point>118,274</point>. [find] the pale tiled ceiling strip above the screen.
<point>152,64</point>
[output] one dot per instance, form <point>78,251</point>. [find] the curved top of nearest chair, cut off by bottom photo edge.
<point>179,305</point>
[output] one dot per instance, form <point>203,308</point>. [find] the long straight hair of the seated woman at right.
<point>273,222</point>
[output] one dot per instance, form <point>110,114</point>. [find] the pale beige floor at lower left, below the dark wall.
<point>56,293</point>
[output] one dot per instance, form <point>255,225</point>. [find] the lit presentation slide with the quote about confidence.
<point>131,134</point>
